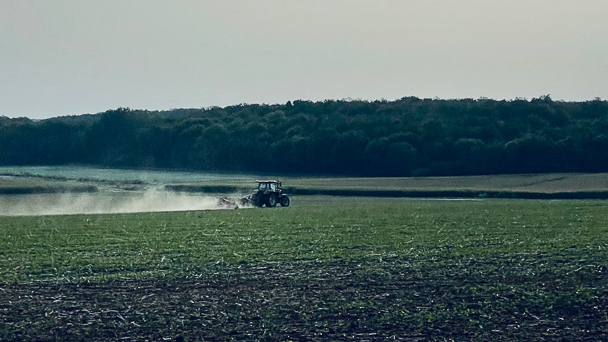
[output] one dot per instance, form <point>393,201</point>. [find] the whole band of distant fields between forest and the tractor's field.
<point>75,179</point>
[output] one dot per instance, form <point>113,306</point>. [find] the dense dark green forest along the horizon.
<point>406,137</point>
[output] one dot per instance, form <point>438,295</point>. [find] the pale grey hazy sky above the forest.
<point>67,57</point>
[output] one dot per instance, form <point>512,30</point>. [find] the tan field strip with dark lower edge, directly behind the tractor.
<point>528,186</point>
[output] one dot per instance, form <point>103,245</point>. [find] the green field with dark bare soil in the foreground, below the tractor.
<point>326,268</point>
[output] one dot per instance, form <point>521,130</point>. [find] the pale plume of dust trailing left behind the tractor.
<point>101,203</point>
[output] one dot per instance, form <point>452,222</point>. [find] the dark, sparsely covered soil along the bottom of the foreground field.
<point>377,300</point>
